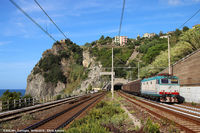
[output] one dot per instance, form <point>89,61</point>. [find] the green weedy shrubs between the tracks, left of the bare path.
<point>103,113</point>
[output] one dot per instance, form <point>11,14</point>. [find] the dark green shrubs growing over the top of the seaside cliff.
<point>50,66</point>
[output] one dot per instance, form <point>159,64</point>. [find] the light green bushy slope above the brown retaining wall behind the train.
<point>188,41</point>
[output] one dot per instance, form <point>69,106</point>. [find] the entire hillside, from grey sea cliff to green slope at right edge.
<point>68,68</point>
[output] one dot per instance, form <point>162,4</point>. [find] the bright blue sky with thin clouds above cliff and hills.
<point>22,43</point>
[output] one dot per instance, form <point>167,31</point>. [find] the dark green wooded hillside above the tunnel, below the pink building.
<point>141,49</point>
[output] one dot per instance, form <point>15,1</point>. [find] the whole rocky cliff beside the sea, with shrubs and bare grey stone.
<point>65,68</point>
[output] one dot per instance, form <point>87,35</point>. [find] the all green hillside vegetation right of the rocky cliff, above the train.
<point>152,52</point>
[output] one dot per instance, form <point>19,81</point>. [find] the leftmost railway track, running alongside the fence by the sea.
<point>14,114</point>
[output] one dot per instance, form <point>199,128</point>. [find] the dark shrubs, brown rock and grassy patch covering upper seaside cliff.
<point>62,63</point>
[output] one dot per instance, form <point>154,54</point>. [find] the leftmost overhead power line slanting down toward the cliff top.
<point>32,20</point>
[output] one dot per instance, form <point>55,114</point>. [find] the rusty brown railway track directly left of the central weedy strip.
<point>64,117</point>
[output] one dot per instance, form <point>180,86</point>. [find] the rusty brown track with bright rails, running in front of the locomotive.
<point>188,119</point>
